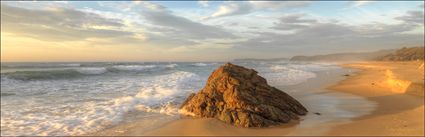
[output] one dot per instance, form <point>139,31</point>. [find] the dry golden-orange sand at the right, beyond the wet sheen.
<point>398,112</point>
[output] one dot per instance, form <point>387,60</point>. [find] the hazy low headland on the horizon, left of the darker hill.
<point>361,56</point>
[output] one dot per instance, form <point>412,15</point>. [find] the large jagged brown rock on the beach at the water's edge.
<point>239,96</point>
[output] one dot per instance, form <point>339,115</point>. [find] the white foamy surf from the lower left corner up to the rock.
<point>159,94</point>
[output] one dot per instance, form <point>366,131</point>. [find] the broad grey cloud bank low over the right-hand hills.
<point>321,37</point>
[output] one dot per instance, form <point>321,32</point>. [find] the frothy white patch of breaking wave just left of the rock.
<point>164,94</point>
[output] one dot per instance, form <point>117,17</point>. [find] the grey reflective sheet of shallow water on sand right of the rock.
<point>331,109</point>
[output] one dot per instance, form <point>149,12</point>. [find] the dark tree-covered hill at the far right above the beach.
<point>404,54</point>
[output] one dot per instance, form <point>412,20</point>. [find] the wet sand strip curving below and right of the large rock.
<point>317,92</point>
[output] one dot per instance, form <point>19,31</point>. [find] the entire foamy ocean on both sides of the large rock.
<point>80,97</point>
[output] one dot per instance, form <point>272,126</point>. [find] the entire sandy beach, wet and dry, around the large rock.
<point>382,98</point>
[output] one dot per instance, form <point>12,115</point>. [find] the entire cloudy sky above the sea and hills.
<point>42,31</point>
